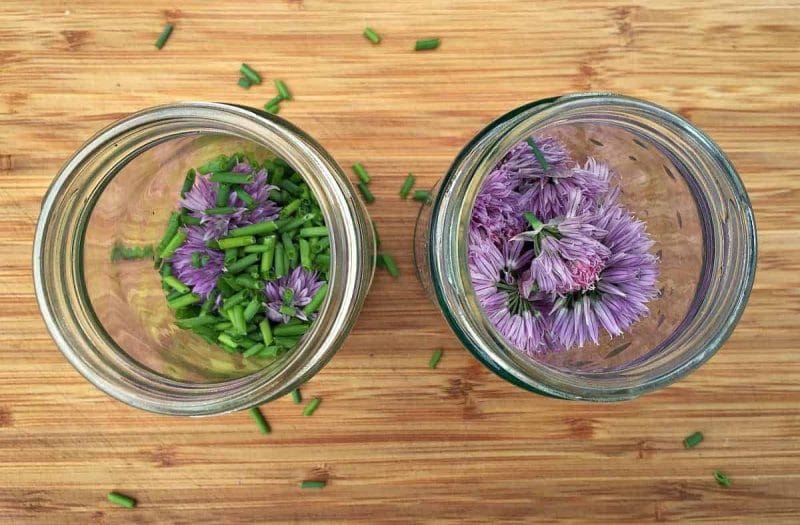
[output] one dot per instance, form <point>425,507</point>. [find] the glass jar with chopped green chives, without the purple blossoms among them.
<point>105,260</point>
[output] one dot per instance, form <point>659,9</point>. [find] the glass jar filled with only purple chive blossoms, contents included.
<point>589,247</point>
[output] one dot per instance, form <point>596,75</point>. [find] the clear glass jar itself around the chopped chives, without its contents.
<point>110,319</point>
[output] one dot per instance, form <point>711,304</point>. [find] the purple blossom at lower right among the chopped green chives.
<point>287,296</point>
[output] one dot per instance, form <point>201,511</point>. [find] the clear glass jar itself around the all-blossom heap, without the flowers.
<point>674,178</point>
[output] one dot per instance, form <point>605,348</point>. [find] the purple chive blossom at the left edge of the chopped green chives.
<point>203,279</point>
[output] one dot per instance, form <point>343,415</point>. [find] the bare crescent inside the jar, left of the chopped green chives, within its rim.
<point>126,295</point>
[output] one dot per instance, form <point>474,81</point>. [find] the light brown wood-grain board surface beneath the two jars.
<point>397,441</point>
